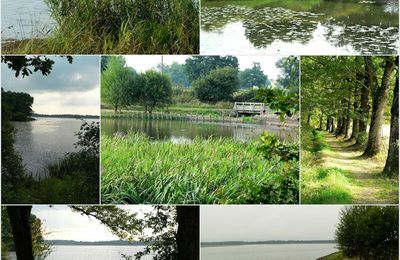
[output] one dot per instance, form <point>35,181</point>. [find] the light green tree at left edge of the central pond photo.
<point>115,81</point>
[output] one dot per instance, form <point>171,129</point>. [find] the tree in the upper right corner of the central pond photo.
<point>289,77</point>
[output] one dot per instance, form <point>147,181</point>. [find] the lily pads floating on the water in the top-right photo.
<point>267,25</point>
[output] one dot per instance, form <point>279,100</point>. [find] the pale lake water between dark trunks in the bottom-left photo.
<point>92,252</point>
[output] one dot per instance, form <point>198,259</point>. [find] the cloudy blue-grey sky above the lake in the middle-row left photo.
<point>68,89</point>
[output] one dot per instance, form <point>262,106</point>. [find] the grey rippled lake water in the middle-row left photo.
<point>45,140</point>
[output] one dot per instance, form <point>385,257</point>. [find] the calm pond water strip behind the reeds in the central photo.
<point>184,131</point>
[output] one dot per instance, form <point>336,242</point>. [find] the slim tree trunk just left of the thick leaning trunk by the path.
<point>364,109</point>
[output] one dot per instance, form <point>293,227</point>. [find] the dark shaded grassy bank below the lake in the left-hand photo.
<point>72,180</point>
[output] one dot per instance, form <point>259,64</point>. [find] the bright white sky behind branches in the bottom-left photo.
<point>60,222</point>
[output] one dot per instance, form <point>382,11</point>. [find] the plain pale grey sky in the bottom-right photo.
<point>260,223</point>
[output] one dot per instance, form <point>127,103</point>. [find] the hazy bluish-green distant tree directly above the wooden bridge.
<point>253,76</point>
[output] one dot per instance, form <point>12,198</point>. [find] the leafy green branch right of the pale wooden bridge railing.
<point>285,103</point>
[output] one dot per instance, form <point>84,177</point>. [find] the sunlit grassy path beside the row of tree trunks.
<point>333,172</point>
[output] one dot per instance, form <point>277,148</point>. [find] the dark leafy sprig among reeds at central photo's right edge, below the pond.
<point>270,146</point>
